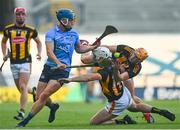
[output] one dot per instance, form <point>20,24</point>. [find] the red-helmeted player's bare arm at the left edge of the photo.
<point>4,47</point>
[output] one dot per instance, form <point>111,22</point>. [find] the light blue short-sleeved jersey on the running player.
<point>64,44</point>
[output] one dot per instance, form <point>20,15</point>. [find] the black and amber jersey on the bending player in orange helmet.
<point>125,51</point>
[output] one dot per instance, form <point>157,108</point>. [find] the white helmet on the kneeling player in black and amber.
<point>102,55</point>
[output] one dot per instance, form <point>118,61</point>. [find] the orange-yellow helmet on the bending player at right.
<point>141,54</point>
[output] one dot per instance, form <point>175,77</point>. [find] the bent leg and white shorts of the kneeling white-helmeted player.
<point>112,110</point>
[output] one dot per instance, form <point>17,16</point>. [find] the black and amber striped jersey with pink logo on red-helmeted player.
<point>19,38</point>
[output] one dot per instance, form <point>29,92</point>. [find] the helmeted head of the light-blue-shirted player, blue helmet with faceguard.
<point>66,18</point>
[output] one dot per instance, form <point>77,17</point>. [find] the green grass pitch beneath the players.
<point>77,116</point>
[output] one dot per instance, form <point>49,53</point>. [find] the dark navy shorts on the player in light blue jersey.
<point>47,74</point>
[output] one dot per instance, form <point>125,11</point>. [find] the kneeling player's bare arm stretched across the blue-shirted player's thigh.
<point>82,78</point>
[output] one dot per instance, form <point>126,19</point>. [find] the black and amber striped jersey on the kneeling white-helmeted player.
<point>111,88</point>
